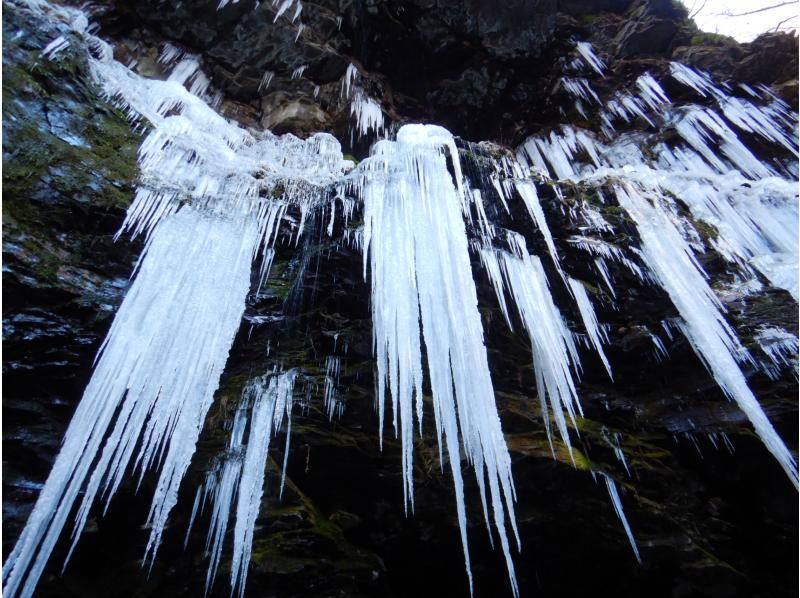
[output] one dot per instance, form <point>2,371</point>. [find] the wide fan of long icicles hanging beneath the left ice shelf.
<point>154,380</point>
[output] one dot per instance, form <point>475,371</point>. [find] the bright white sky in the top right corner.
<point>713,16</point>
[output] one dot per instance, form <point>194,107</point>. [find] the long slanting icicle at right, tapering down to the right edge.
<point>671,260</point>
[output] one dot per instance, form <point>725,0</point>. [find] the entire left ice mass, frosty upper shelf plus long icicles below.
<point>161,362</point>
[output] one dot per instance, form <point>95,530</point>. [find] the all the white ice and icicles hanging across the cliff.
<point>210,203</point>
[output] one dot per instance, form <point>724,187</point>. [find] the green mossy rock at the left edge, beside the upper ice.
<point>87,149</point>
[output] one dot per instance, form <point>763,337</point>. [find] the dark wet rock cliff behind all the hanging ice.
<point>709,521</point>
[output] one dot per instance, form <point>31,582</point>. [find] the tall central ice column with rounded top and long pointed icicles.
<point>416,249</point>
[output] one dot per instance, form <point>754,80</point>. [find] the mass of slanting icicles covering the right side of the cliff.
<point>751,205</point>
